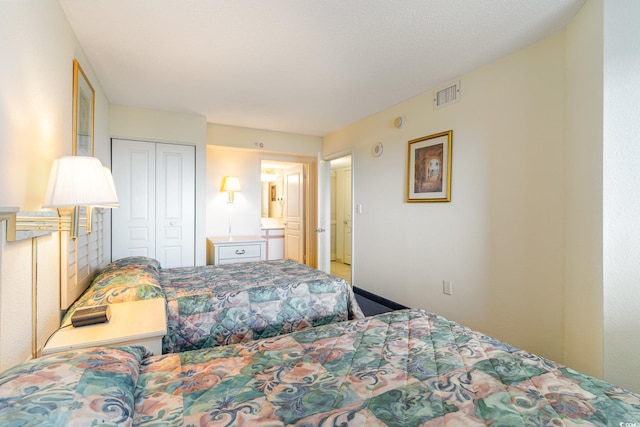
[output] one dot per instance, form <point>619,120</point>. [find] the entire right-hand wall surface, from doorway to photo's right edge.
<point>540,239</point>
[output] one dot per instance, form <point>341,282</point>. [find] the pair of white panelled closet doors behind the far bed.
<point>156,188</point>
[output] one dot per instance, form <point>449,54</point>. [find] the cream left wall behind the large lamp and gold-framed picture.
<point>37,48</point>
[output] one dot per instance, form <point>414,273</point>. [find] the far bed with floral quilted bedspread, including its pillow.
<point>213,305</point>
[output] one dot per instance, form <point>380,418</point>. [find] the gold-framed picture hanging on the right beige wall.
<point>429,168</point>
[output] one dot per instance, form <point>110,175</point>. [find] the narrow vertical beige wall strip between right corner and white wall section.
<point>583,304</point>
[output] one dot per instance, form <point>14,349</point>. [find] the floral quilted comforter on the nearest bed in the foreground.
<point>405,368</point>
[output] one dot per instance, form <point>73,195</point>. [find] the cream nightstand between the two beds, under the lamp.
<point>132,323</point>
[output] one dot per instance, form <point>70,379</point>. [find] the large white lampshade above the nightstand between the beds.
<point>80,181</point>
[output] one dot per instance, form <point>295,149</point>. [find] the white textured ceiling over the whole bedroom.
<point>302,66</point>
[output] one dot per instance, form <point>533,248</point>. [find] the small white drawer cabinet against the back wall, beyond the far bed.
<point>225,250</point>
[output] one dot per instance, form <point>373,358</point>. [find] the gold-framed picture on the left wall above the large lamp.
<point>83,112</point>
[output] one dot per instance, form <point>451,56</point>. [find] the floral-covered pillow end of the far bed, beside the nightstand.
<point>124,280</point>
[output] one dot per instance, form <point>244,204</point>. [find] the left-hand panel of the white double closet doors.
<point>133,224</point>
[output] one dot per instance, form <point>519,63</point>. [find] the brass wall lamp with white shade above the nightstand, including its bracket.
<point>74,182</point>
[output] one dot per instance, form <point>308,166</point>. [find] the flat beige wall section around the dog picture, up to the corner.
<point>501,239</point>
